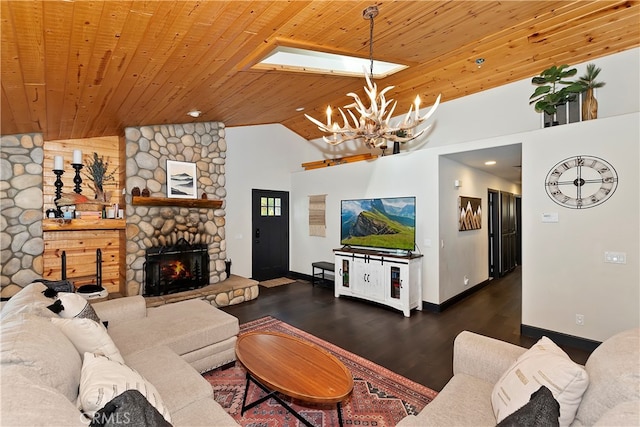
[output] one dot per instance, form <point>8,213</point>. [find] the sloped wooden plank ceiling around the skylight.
<point>77,69</point>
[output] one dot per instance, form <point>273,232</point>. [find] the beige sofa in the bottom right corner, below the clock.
<point>610,383</point>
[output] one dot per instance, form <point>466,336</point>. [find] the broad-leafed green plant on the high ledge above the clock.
<point>554,90</point>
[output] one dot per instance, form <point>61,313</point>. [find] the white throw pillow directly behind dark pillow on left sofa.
<point>103,379</point>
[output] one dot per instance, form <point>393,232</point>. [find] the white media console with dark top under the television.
<point>391,279</point>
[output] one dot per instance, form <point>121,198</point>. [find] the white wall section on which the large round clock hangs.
<point>564,273</point>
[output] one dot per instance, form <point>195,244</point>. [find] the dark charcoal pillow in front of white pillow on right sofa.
<point>541,410</point>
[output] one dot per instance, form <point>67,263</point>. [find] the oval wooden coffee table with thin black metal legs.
<point>280,363</point>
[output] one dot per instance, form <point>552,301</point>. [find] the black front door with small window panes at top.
<point>270,227</point>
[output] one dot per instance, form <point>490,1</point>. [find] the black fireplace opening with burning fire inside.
<point>176,268</point>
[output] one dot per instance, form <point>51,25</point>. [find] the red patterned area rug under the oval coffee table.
<point>380,397</point>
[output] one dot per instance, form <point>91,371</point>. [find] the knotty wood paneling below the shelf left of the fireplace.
<point>80,248</point>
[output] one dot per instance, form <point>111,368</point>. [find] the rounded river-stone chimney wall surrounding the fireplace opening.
<point>147,150</point>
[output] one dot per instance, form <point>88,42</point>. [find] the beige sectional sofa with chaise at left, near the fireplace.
<point>42,367</point>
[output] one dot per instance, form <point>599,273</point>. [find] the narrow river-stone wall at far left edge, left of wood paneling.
<point>21,241</point>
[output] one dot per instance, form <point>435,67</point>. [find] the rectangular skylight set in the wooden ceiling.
<point>309,61</point>
